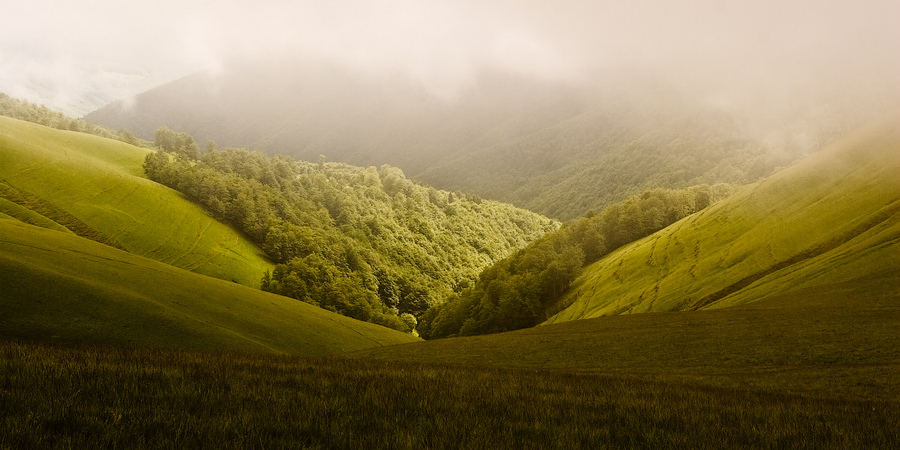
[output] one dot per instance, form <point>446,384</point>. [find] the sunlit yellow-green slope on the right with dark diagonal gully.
<point>833,218</point>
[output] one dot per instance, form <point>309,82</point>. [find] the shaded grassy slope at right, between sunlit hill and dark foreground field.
<point>840,342</point>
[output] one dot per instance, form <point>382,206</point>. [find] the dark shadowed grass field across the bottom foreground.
<point>136,398</point>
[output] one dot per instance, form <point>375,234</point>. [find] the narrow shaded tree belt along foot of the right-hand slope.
<point>524,289</point>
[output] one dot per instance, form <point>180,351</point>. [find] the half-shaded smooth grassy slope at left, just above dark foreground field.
<point>61,287</point>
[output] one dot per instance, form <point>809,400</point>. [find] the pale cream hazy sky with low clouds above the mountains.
<point>78,55</point>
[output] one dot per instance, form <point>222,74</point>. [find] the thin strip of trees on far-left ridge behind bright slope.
<point>39,114</point>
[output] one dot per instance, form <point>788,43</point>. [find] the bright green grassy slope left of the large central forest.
<point>96,187</point>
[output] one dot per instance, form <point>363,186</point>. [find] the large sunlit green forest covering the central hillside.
<point>364,242</point>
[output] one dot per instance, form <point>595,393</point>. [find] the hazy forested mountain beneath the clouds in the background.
<point>557,149</point>
